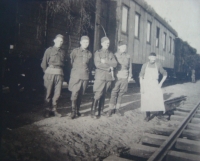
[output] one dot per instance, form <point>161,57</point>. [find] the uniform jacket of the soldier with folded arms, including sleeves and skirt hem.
<point>103,71</point>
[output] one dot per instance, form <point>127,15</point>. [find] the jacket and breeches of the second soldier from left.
<point>81,65</point>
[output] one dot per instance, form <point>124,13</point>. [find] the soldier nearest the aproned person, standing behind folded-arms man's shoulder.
<point>123,75</point>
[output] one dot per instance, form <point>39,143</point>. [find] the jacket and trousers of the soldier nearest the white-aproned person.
<point>122,72</point>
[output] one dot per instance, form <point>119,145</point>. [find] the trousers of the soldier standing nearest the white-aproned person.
<point>120,87</point>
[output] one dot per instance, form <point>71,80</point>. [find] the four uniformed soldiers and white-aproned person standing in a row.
<point>109,67</point>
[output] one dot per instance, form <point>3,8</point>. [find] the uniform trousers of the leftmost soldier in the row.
<point>53,85</point>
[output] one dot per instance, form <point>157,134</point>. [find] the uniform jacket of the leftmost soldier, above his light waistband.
<point>53,56</point>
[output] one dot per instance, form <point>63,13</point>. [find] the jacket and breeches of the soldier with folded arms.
<point>103,76</point>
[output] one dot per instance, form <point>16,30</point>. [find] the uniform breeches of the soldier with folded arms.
<point>100,88</point>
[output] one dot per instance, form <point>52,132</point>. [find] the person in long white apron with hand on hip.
<point>150,88</point>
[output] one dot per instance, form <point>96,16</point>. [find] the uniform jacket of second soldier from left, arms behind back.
<point>81,63</point>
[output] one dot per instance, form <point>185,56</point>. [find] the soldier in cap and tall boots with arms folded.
<point>104,61</point>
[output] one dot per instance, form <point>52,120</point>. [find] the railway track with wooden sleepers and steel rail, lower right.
<point>167,143</point>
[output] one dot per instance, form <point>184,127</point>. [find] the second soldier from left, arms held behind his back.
<point>81,65</point>
